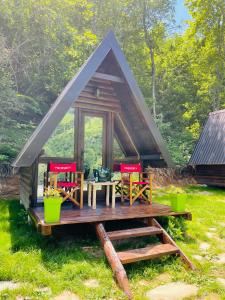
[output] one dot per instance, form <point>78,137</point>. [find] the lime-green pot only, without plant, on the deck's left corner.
<point>52,209</point>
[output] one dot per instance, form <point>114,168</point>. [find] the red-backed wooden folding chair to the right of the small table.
<point>135,188</point>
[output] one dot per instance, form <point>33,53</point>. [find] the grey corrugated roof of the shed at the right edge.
<point>210,148</point>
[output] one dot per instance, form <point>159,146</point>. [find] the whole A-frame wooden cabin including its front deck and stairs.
<point>104,88</point>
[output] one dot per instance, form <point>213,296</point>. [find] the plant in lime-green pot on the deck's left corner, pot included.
<point>52,205</point>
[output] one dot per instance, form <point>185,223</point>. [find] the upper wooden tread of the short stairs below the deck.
<point>134,232</point>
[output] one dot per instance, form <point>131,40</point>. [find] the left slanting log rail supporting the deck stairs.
<point>114,260</point>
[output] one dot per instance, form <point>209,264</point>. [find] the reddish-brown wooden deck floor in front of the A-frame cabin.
<point>74,215</point>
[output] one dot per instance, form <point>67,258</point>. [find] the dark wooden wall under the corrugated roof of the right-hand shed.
<point>213,175</point>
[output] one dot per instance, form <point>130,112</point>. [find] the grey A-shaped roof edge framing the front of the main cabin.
<point>71,93</point>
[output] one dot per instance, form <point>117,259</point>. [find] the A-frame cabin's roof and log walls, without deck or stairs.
<point>104,87</point>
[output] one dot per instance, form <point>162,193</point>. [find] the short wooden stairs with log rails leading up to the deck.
<point>118,259</point>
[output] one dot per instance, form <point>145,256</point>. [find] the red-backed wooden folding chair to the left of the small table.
<point>68,185</point>
